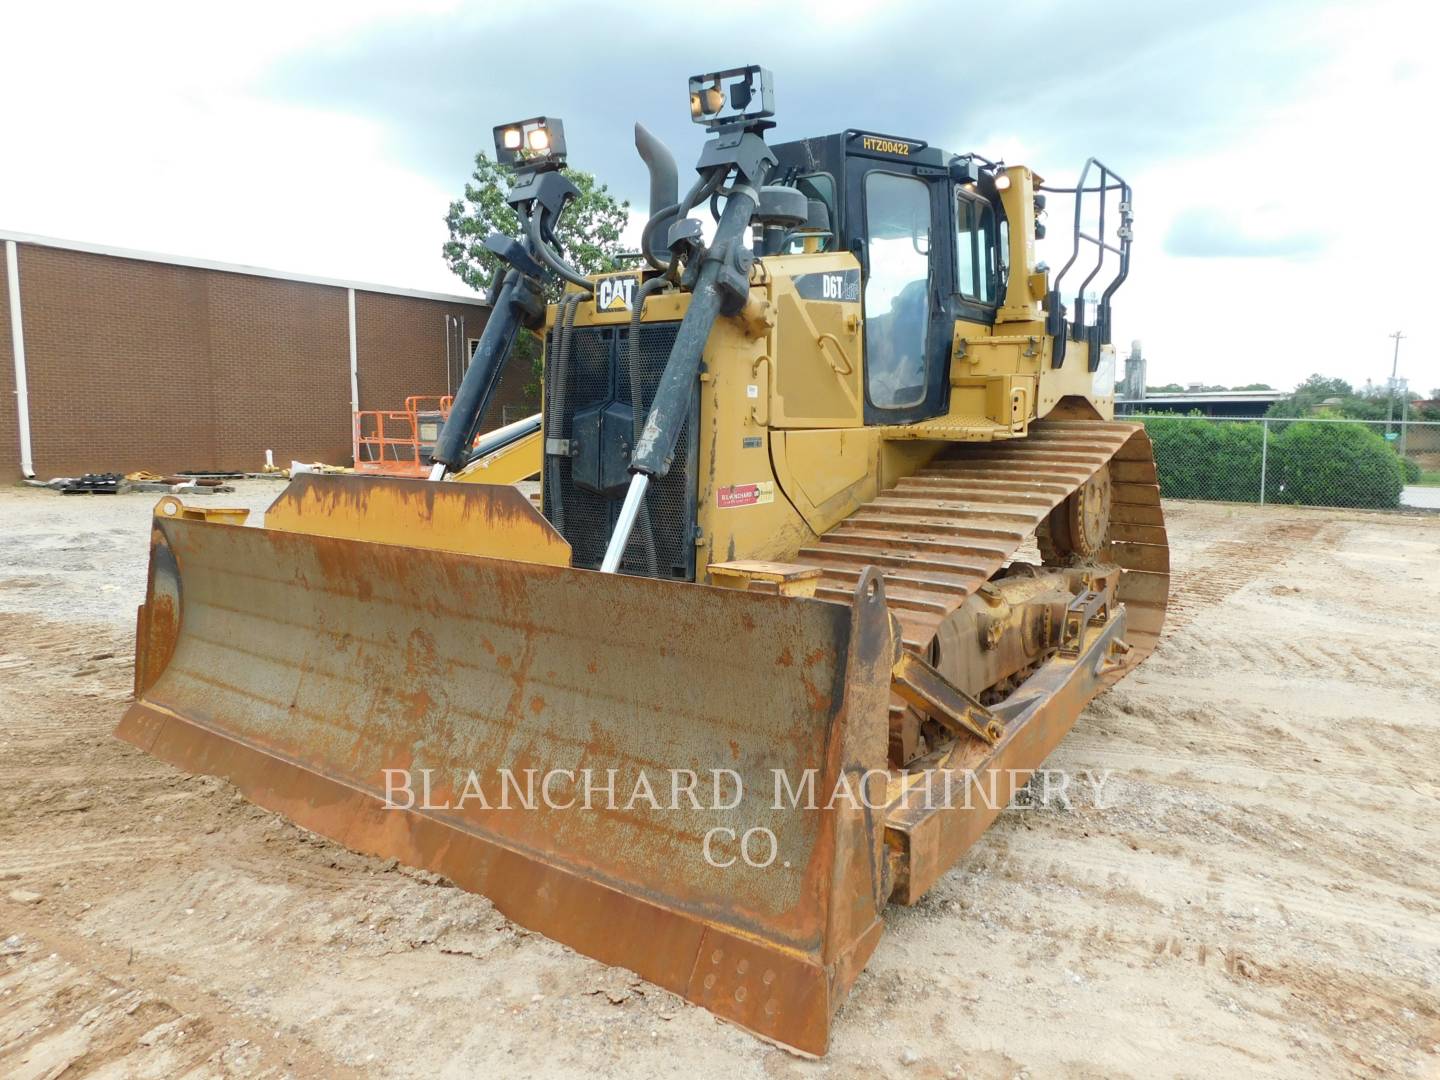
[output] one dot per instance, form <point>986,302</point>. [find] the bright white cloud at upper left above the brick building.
<point>155,140</point>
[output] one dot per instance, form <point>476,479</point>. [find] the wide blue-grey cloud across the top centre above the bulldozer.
<point>1174,78</point>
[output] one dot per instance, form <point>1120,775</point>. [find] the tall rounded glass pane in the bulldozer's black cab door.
<point>898,224</point>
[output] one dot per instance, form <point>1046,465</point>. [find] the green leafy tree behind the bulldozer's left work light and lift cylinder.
<point>588,237</point>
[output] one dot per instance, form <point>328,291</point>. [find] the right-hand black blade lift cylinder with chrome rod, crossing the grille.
<point>656,447</point>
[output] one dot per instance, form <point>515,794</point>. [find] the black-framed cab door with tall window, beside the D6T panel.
<point>901,230</point>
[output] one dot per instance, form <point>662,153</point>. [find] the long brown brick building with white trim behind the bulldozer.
<point>116,361</point>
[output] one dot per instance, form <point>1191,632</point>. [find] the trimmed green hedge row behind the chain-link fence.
<point>1307,463</point>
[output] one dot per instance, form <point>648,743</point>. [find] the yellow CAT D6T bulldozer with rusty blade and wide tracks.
<point>836,538</point>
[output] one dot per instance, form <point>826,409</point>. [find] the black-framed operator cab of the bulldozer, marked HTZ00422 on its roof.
<point>931,237</point>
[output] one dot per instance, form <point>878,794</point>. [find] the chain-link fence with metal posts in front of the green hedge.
<point>1310,462</point>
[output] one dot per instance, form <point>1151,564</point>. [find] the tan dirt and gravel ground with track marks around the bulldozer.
<point>1256,892</point>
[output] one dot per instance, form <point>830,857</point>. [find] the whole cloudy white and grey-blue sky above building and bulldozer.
<point>1279,152</point>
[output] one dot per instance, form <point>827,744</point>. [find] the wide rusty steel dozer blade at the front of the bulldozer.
<point>447,709</point>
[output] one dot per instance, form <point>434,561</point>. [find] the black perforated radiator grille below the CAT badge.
<point>597,374</point>
